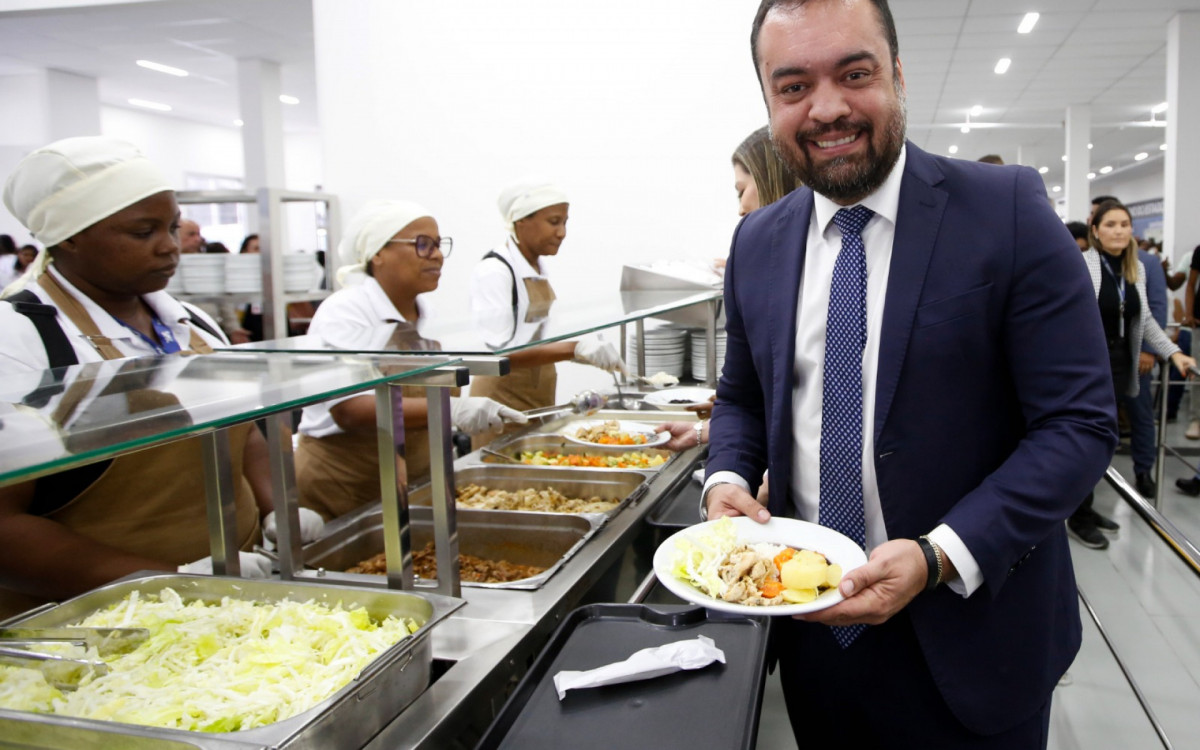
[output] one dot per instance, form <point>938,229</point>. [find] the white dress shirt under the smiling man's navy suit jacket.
<point>813,308</point>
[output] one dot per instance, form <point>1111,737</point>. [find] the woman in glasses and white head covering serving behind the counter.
<point>398,251</point>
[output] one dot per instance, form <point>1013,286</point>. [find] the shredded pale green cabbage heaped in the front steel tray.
<point>224,668</point>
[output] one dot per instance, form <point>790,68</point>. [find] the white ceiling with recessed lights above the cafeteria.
<point>1111,55</point>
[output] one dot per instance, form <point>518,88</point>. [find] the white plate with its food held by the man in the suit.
<point>783,567</point>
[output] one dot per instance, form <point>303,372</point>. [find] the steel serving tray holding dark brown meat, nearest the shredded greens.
<point>547,541</point>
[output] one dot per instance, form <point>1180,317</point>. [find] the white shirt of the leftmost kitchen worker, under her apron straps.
<point>22,349</point>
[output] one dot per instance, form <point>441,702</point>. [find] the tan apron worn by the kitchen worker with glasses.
<point>339,473</point>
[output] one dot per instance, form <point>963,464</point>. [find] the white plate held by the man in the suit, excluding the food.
<point>790,532</point>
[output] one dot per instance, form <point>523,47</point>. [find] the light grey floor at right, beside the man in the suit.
<point>1148,602</point>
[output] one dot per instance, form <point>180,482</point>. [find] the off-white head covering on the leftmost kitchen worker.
<point>70,185</point>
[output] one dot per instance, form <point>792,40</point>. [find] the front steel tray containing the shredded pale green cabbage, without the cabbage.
<point>347,719</point>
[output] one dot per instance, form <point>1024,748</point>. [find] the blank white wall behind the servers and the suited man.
<point>633,107</point>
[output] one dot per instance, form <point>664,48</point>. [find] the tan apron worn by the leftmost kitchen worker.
<point>153,502</point>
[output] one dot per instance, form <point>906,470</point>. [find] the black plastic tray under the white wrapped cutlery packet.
<point>713,707</point>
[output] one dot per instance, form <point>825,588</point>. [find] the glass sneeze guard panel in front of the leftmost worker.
<point>59,419</point>
